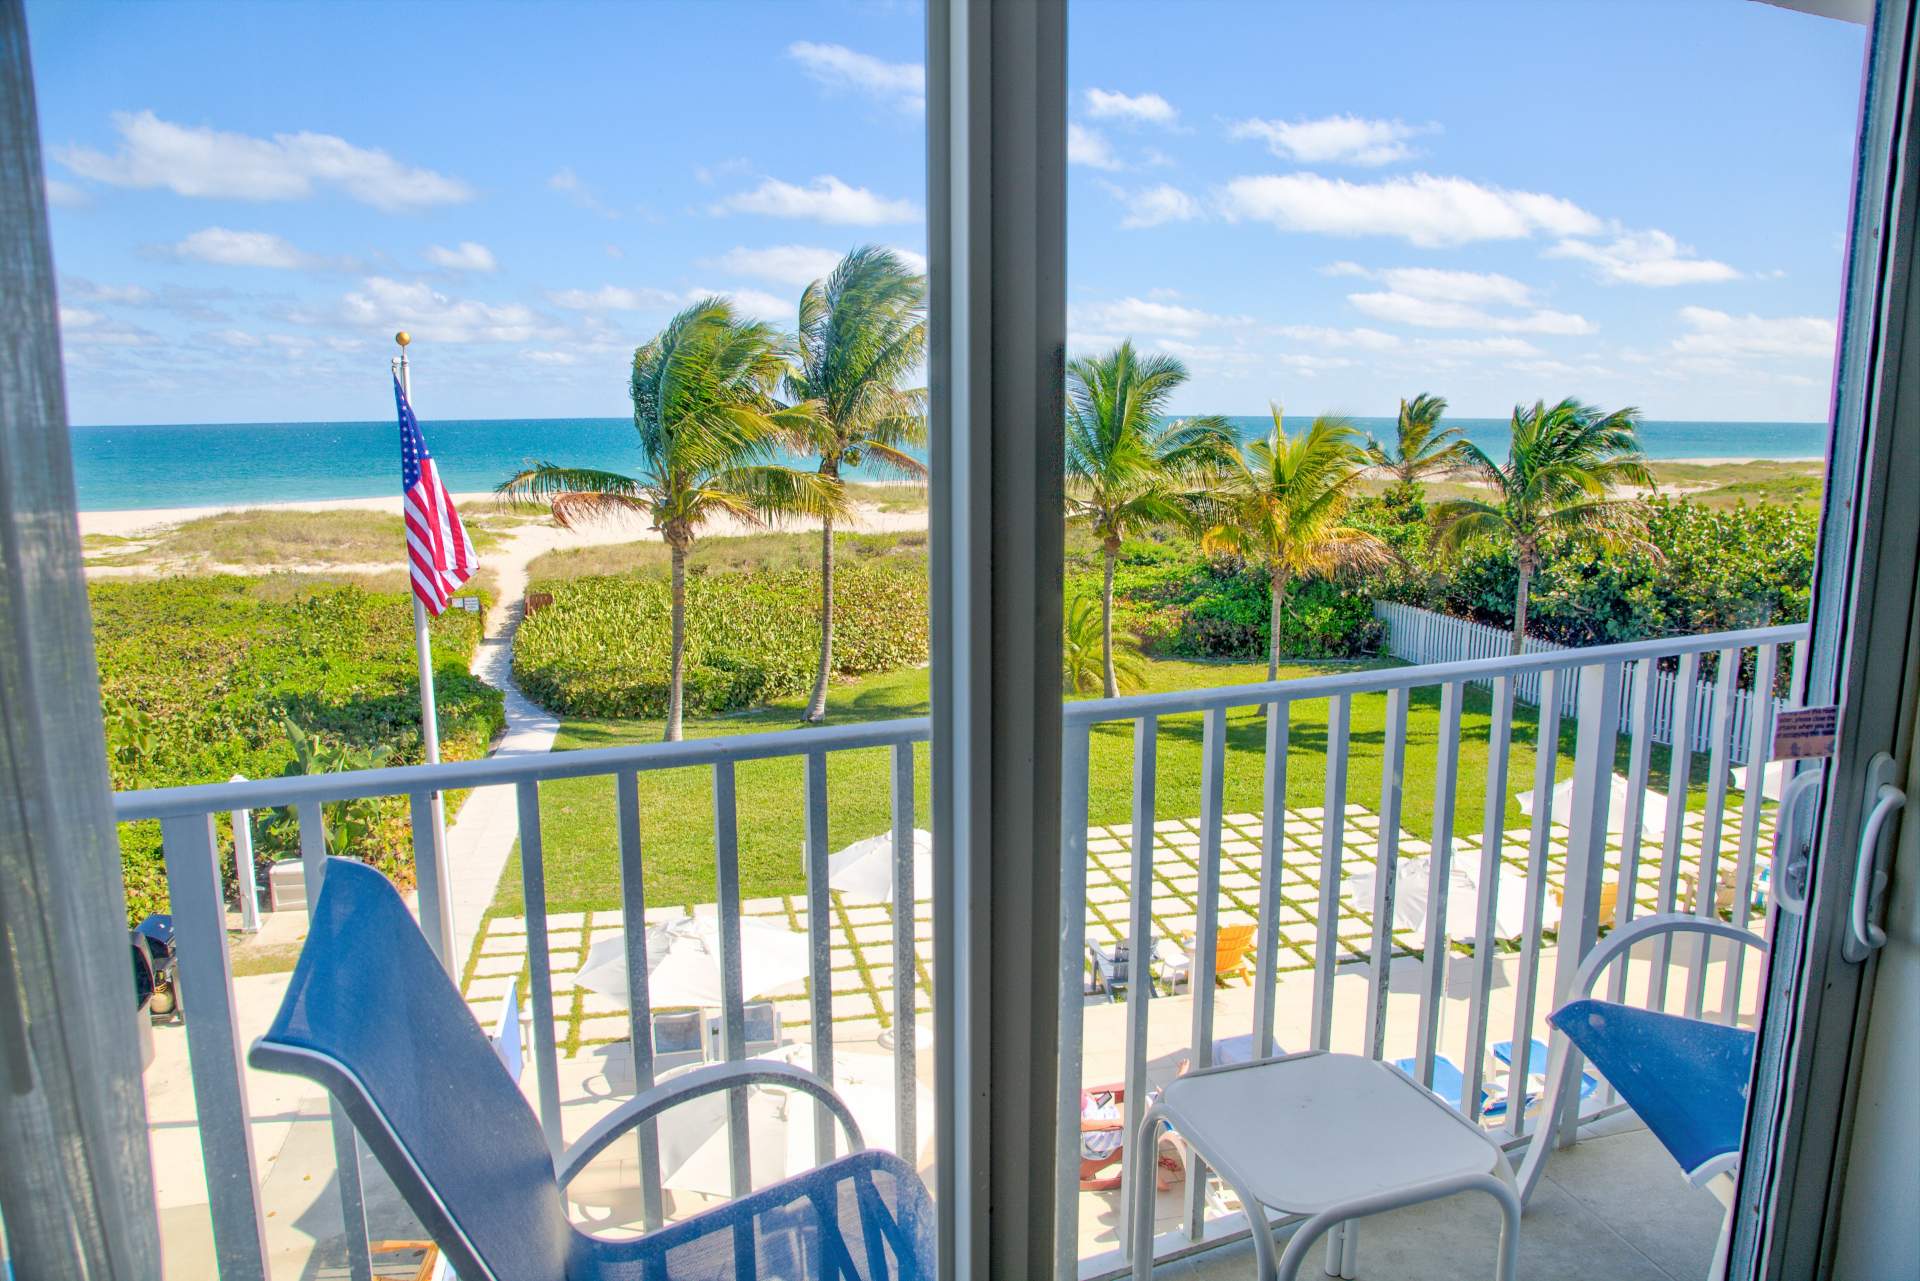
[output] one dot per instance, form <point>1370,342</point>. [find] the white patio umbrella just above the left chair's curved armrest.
<point>684,961</point>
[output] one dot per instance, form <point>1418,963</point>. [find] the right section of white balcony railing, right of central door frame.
<point>1604,689</point>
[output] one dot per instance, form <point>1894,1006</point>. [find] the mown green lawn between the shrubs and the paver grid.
<point>677,806</point>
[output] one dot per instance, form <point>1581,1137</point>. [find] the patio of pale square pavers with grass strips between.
<point>863,934</point>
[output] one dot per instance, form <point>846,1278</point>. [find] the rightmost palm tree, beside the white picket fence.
<point>1562,466</point>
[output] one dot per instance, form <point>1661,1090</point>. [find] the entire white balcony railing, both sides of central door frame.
<point>1602,679</point>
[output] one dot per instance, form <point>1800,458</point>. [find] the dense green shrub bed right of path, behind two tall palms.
<point>604,646</point>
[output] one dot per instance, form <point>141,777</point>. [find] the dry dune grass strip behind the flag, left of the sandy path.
<point>270,539</point>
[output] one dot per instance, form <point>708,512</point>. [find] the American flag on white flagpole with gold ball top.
<point>441,558</point>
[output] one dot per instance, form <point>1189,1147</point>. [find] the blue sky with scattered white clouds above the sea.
<point>1324,205</point>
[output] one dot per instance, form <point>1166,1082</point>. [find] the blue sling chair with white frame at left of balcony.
<point>372,1017</point>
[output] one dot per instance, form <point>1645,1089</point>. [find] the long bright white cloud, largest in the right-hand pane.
<point>1420,208</point>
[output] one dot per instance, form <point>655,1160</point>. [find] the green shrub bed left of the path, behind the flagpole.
<point>197,677</point>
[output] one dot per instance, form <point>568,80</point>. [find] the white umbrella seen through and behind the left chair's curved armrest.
<point>780,1124</point>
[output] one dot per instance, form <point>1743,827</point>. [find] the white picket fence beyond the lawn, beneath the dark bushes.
<point>1424,637</point>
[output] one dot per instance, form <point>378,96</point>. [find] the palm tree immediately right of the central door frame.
<point>1128,464</point>
